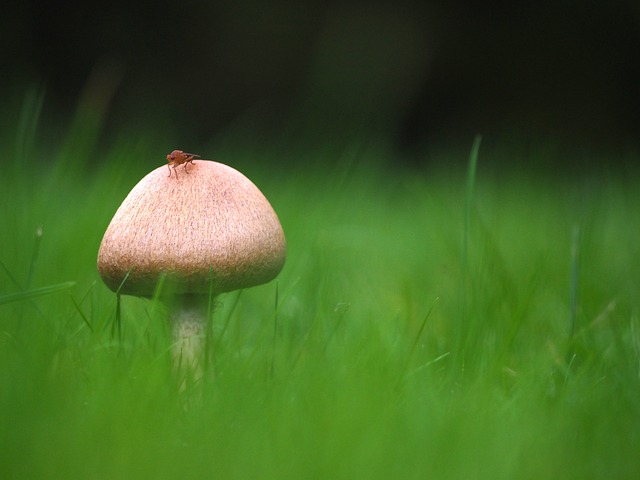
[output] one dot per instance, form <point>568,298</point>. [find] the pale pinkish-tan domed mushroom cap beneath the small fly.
<point>206,229</point>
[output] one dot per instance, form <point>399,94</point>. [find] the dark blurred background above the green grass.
<point>411,74</point>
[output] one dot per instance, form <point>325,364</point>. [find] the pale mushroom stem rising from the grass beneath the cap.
<point>189,340</point>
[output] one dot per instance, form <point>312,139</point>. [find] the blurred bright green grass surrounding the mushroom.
<point>426,324</point>
